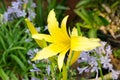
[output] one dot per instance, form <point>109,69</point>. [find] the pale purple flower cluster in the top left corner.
<point>16,10</point>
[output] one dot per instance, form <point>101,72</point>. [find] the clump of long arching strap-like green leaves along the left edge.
<point>13,49</point>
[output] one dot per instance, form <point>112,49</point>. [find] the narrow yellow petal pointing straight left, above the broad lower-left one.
<point>42,36</point>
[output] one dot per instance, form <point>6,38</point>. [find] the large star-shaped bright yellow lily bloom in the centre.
<point>60,41</point>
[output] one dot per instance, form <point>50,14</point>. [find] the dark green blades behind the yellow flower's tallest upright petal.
<point>43,7</point>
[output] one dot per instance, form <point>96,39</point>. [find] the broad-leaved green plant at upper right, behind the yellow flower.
<point>91,16</point>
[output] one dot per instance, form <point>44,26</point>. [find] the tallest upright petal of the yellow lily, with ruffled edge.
<point>56,33</point>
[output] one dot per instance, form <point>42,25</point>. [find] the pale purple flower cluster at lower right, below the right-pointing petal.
<point>100,55</point>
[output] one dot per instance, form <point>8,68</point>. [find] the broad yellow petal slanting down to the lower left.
<point>46,52</point>
